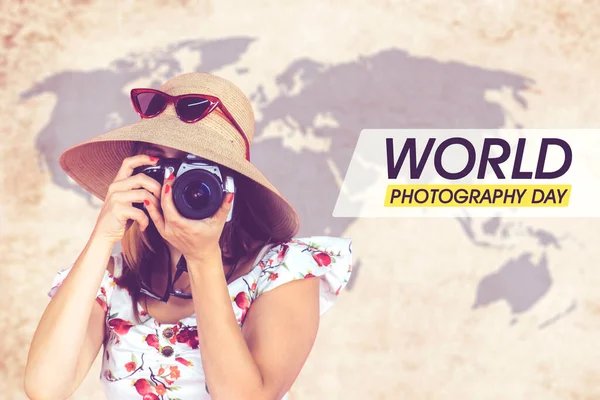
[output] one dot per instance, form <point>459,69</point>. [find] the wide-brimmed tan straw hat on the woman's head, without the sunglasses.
<point>94,163</point>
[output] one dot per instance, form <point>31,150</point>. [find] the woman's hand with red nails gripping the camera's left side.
<point>118,206</point>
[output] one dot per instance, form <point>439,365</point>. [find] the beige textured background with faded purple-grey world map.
<point>438,309</point>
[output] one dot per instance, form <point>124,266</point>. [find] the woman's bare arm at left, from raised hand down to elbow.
<point>71,330</point>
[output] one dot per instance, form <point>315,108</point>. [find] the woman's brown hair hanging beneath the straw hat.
<point>146,251</point>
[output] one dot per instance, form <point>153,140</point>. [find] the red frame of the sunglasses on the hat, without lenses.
<point>215,102</point>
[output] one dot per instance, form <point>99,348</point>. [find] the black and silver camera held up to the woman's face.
<point>199,187</point>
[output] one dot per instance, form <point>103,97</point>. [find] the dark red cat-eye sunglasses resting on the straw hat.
<point>190,108</point>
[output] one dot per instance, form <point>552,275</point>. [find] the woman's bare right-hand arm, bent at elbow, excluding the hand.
<point>262,360</point>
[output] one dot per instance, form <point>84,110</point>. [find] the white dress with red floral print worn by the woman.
<point>153,361</point>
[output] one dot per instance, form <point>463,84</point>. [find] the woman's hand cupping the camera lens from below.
<point>196,239</point>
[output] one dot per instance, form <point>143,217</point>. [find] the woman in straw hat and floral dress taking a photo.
<point>187,310</point>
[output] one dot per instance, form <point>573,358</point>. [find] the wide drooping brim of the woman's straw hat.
<point>93,164</point>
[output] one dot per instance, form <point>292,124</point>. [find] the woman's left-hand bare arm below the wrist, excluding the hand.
<point>71,330</point>
